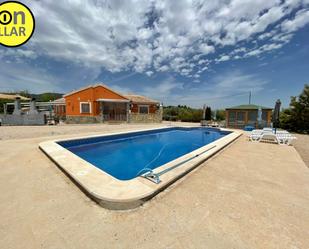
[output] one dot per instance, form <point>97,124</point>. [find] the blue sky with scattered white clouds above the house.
<point>179,52</point>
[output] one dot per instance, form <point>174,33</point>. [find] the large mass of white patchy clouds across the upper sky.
<point>144,36</point>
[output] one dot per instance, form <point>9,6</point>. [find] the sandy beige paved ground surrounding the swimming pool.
<point>250,195</point>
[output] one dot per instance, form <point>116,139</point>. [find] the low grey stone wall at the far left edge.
<point>23,119</point>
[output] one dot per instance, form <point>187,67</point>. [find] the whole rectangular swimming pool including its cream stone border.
<point>123,170</point>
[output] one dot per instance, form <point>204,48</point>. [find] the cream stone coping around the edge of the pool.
<point>116,194</point>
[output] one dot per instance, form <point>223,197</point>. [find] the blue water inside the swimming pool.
<point>126,156</point>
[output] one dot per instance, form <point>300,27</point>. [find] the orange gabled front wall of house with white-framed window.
<point>89,95</point>
